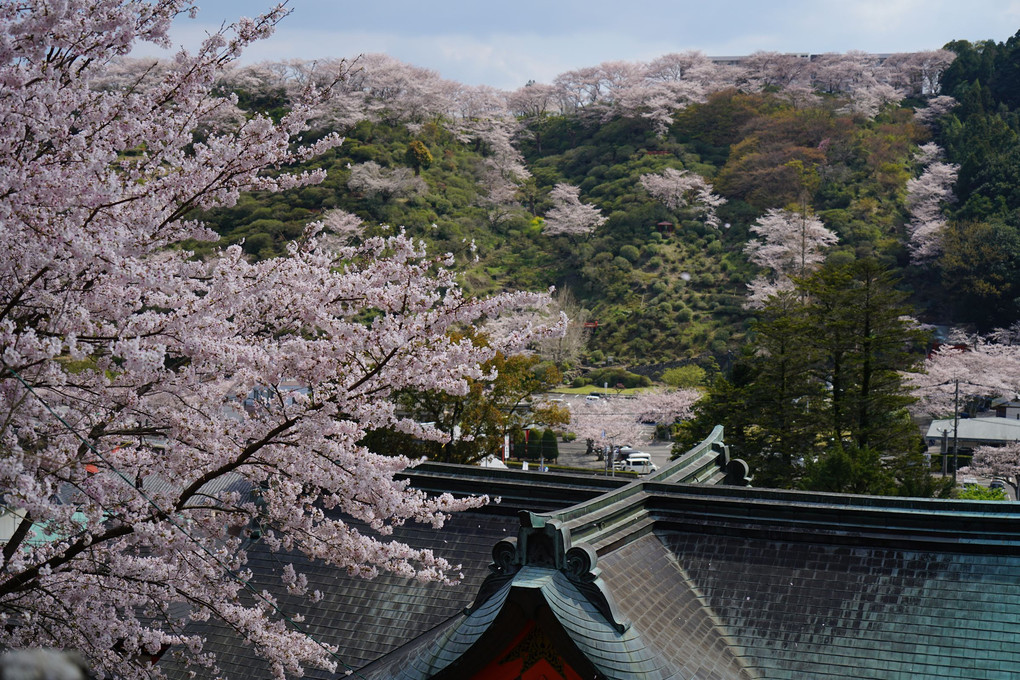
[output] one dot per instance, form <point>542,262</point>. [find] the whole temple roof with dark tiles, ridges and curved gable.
<point>682,581</point>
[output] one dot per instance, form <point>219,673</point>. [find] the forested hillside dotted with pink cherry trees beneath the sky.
<point>911,162</point>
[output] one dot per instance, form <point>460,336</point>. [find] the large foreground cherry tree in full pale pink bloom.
<point>124,362</point>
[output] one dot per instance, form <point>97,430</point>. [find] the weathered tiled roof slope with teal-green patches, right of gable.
<point>796,610</point>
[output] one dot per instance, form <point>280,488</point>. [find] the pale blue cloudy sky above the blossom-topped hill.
<point>506,44</point>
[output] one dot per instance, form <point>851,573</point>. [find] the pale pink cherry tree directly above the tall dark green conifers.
<point>790,245</point>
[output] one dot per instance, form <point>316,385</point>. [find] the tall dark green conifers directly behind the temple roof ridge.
<point>820,401</point>
